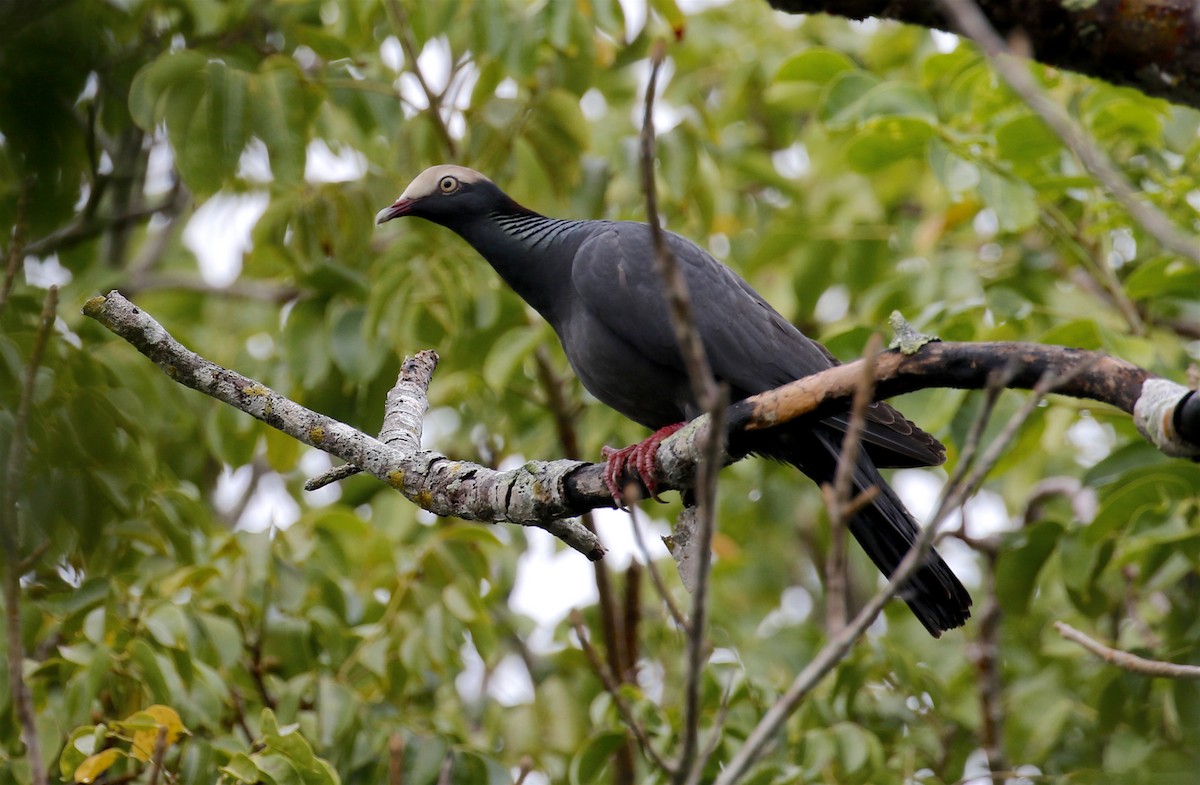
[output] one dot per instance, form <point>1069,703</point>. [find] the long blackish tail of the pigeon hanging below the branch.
<point>885,530</point>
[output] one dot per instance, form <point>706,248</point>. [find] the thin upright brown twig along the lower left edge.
<point>11,542</point>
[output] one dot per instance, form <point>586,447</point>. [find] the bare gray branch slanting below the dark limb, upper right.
<point>971,21</point>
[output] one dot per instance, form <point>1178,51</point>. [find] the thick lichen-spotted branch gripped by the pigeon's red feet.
<point>545,493</point>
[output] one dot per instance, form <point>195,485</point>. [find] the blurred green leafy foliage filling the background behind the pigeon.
<point>845,170</point>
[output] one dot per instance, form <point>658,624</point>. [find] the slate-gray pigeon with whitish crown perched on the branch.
<point>597,285</point>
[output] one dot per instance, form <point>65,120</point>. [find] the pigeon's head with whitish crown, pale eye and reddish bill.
<point>451,196</point>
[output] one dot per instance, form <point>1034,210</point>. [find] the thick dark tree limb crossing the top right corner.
<point>1150,46</point>
